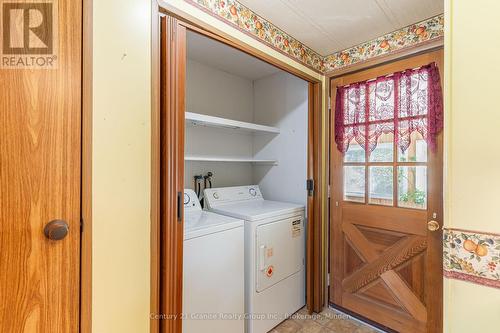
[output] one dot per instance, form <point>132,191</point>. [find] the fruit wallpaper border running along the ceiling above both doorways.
<point>247,21</point>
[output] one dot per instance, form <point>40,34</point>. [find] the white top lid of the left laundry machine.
<point>201,223</point>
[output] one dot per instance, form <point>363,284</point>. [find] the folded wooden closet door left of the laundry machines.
<point>172,105</point>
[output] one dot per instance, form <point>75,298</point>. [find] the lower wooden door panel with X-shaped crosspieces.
<point>383,264</point>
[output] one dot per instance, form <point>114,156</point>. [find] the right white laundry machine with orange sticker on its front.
<point>274,253</point>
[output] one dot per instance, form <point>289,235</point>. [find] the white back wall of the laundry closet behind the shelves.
<point>217,93</point>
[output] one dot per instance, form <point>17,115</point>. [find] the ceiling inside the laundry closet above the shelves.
<point>225,58</point>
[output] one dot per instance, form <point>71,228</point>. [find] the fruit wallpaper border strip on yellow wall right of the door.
<point>472,256</point>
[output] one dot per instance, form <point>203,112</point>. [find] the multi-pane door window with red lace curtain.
<point>385,126</point>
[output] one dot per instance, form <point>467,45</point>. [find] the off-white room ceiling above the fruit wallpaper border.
<point>328,26</point>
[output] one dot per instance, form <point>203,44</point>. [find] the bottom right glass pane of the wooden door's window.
<point>412,187</point>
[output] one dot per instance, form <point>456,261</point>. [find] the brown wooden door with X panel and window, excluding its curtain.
<point>386,265</point>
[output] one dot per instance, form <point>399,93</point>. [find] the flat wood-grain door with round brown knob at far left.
<point>40,155</point>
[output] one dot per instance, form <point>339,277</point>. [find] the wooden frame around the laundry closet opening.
<point>315,276</point>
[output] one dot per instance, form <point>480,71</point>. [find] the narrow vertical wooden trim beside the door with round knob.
<point>86,186</point>
